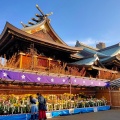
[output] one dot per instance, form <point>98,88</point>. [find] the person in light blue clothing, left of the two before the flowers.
<point>34,108</point>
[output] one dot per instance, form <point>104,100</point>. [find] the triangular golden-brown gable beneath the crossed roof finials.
<point>43,29</point>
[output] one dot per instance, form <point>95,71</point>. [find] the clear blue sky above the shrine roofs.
<point>88,21</point>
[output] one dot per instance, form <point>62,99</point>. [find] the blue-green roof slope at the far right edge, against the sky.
<point>111,51</point>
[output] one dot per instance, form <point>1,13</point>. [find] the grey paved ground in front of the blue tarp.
<point>101,115</point>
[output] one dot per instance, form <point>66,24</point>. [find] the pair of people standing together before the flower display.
<point>38,112</point>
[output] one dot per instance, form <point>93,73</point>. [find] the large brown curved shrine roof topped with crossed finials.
<point>39,32</point>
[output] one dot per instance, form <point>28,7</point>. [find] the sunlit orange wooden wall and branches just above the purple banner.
<point>44,64</point>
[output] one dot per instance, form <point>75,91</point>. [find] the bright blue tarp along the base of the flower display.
<point>56,113</point>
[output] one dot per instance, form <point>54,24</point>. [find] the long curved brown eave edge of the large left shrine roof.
<point>19,33</point>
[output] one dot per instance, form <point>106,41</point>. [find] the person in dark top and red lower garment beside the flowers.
<point>41,107</point>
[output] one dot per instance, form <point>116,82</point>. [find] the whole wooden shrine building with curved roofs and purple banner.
<point>35,59</point>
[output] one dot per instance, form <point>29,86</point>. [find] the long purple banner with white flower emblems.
<point>48,79</point>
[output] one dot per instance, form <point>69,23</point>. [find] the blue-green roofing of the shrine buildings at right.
<point>106,54</point>
